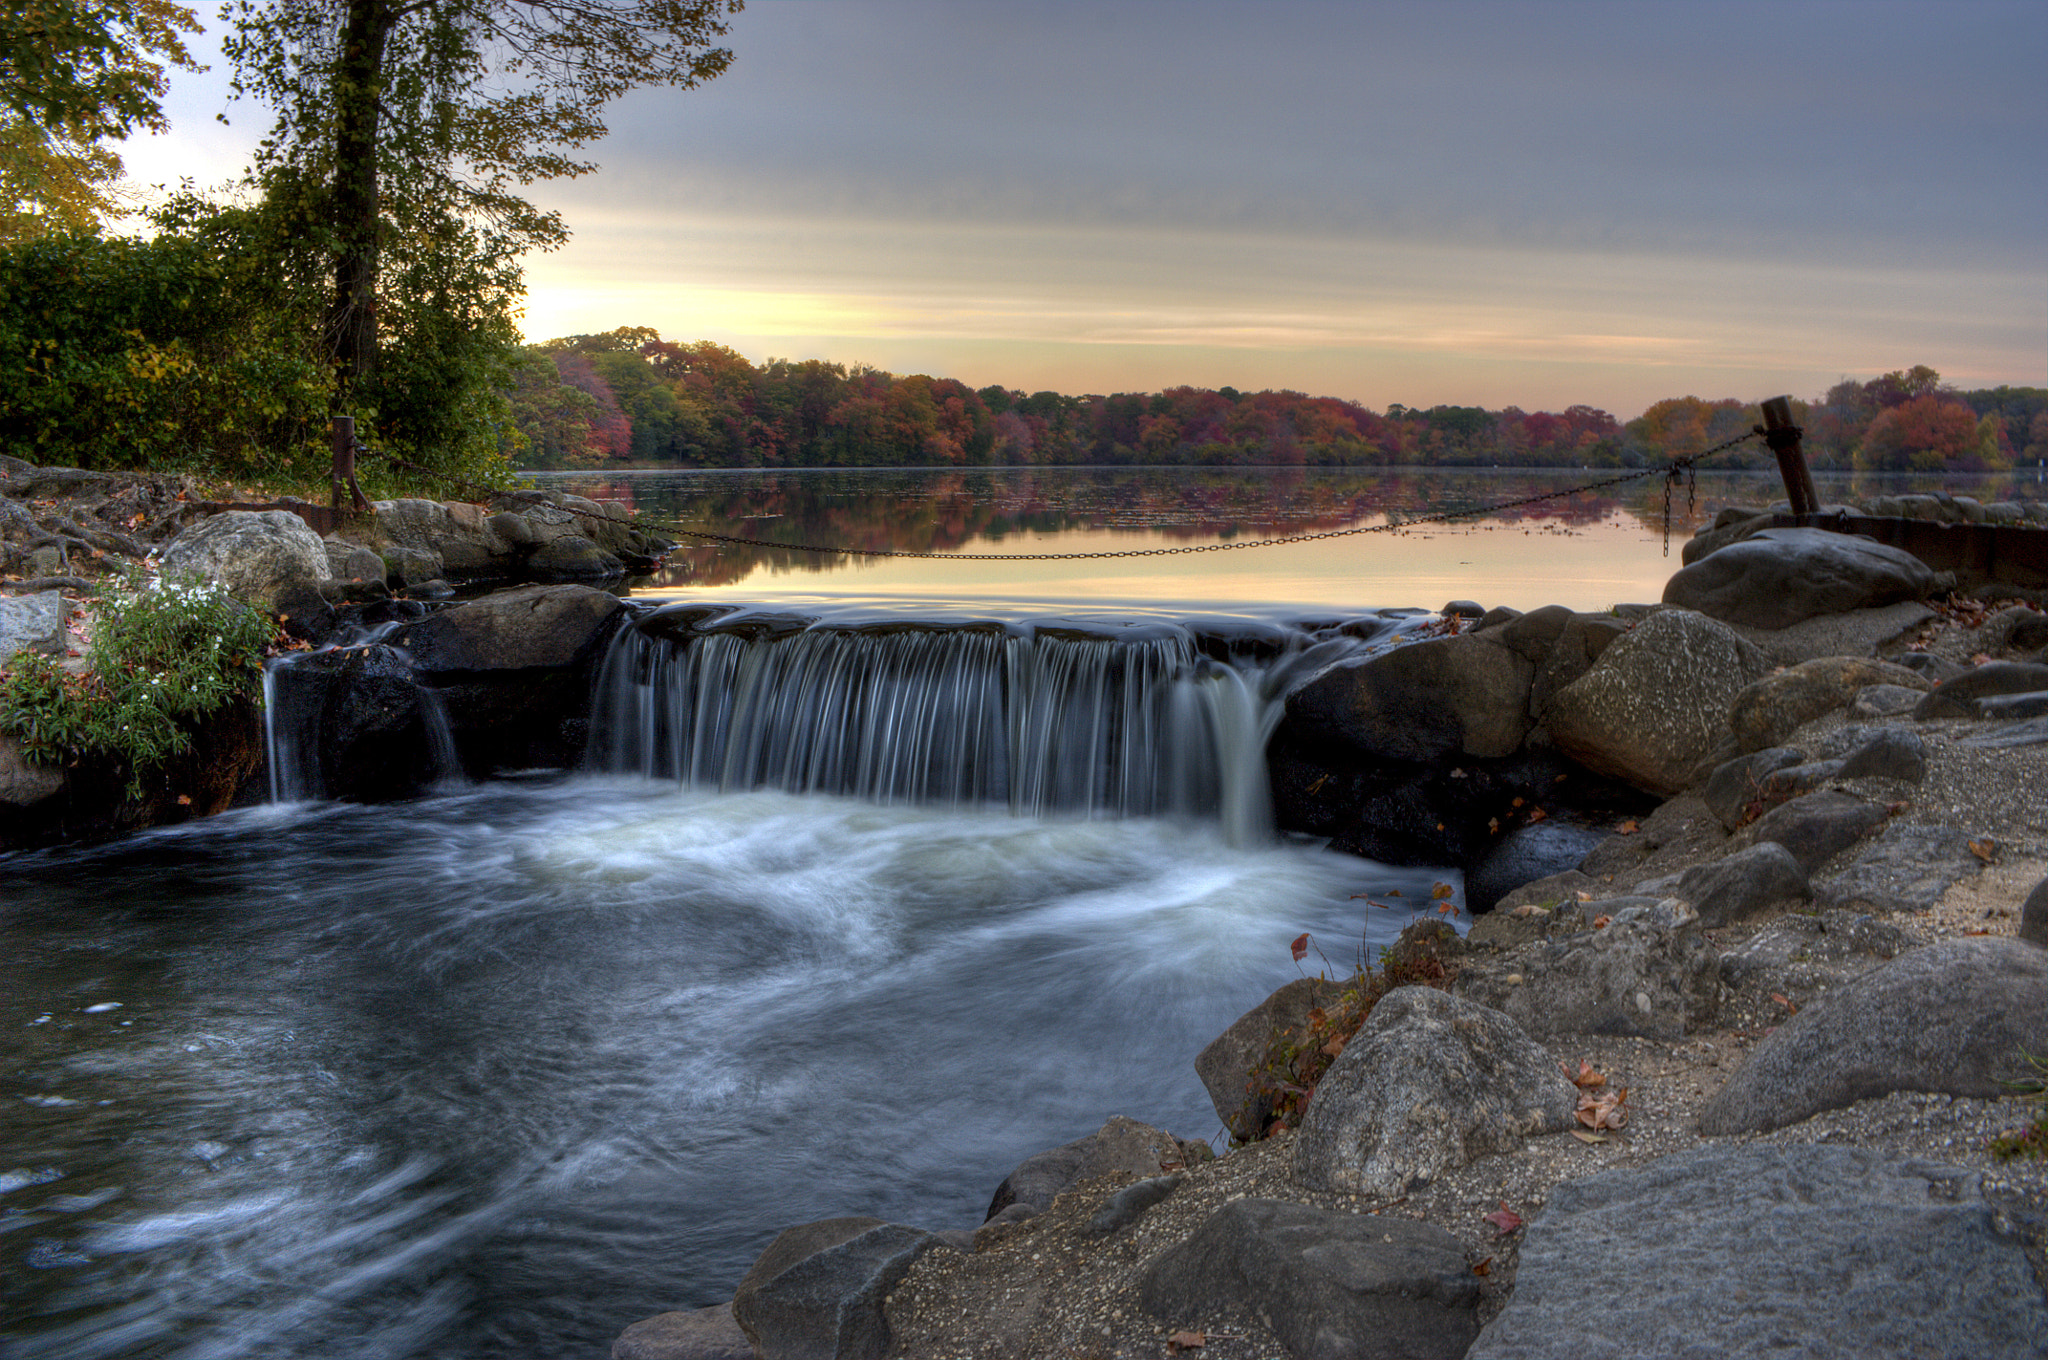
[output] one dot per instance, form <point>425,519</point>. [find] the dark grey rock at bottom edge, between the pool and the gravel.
<point>818,1291</point>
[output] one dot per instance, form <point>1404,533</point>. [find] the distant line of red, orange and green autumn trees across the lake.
<point>630,398</point>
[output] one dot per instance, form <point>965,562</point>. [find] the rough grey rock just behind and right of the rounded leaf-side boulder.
<point>1648,972</point>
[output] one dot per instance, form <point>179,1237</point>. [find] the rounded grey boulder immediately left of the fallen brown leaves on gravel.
<point>1428,1085</point>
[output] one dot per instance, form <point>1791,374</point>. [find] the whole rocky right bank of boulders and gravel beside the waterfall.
<point>1719,1074</point>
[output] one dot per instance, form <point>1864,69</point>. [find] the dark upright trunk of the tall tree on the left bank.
<point>353,204</point>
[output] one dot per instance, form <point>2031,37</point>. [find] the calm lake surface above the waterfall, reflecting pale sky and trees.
<point>1586,550</point>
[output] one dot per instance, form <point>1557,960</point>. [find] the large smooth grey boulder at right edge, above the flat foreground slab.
<point>1953,1017</point>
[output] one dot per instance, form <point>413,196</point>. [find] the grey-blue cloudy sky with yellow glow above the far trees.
<point>1453,202</point>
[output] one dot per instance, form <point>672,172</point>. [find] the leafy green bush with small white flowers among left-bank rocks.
<point>161,661</point>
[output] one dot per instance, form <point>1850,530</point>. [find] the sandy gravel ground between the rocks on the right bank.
<point>1046,1287</point>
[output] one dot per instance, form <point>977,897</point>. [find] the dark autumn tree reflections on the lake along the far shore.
<point>941,511</point>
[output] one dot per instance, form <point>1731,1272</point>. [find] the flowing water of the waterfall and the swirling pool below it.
<point>509,1068</point>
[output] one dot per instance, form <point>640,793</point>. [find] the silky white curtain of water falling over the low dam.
<point>1039,720</point>
